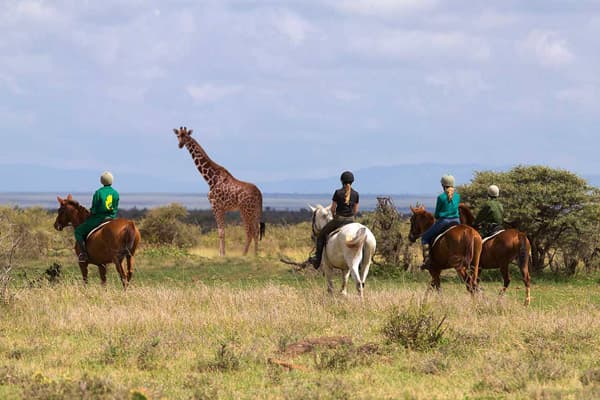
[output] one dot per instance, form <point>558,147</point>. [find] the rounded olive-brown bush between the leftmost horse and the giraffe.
<point>166,226</point>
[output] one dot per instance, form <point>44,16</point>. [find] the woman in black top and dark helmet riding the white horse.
<point>344,206</point>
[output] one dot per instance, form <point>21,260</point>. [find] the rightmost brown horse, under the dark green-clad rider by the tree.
<point>501,250</point>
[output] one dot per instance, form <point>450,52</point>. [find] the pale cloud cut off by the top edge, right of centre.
<point>384,8</point>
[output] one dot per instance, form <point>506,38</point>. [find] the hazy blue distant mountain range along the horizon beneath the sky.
<point>422,179</point>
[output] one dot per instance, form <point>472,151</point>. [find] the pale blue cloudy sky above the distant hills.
<point>278,90</point>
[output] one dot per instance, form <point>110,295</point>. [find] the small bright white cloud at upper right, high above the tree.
<point>548,48</point>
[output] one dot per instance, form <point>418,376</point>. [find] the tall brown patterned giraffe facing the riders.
<point>226,193</point>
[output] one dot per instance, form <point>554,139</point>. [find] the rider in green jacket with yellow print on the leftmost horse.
<point>105,205</point>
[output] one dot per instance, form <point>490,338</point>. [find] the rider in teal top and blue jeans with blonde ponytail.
<point>446,214</point>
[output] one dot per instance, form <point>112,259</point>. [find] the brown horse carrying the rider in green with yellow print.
<point>112,243</point>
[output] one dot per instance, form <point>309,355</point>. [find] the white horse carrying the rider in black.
<point>349,249</point>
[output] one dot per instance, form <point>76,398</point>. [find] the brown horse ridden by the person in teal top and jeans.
<point>458,249</point>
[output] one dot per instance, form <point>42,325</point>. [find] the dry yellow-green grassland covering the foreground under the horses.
<point>193,325</point>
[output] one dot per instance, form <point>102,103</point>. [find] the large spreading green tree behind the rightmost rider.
<point>553,207</point>
